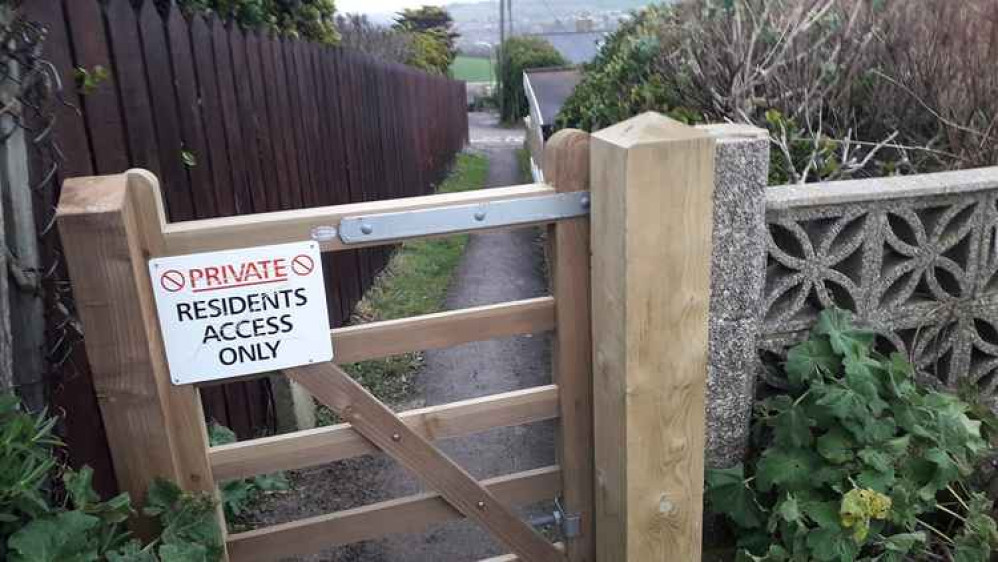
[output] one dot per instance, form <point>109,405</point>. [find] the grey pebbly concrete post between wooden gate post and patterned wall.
<point>737,277</point>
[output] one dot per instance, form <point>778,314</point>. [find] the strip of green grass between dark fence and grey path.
<point>415,282</point>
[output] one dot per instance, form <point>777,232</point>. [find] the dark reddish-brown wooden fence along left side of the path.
<point>236,122</point>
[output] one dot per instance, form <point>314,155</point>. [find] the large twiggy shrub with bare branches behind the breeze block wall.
<point>846,88</point>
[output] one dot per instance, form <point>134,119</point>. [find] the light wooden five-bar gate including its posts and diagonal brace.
<point>649,393</point>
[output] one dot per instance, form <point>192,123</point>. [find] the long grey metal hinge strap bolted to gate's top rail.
<point>447,220</point>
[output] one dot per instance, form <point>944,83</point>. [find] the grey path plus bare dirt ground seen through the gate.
<point>496,267</point>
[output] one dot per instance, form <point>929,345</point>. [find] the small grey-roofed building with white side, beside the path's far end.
<point>546,90</point>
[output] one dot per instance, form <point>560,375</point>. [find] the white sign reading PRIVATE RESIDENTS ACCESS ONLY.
<point>233,313</point>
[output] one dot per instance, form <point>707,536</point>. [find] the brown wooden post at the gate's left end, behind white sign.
<point>110,227</point>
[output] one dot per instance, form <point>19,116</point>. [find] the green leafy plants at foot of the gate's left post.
<point>78,526</point>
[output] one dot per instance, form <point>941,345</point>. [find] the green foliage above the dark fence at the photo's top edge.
<point>310,19</point>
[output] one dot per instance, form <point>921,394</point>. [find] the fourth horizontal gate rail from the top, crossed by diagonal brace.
<point>403,515</point>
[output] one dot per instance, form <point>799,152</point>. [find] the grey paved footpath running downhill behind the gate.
<point>496,267</point>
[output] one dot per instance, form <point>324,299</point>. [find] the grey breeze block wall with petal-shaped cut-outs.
<point>913,257</point>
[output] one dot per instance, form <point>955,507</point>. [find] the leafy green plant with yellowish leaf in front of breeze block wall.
<point>856,460</point>
